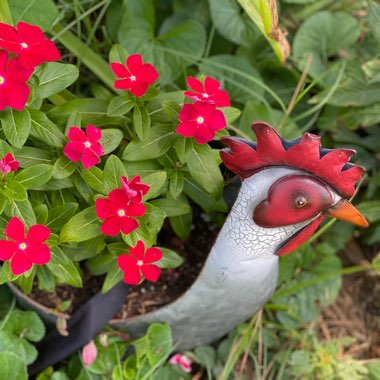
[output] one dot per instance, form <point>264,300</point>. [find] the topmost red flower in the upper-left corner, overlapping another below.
<point>29,43</point>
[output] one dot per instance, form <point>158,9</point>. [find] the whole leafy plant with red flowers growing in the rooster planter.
<point>88,182</point>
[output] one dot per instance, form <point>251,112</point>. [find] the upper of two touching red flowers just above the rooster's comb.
<point>210,92</point>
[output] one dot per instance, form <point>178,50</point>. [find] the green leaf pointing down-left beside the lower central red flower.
<point>81,227</point>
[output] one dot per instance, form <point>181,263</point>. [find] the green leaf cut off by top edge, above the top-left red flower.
<point>42,12</point>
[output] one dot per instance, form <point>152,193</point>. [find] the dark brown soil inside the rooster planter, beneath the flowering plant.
<point>147,296</point>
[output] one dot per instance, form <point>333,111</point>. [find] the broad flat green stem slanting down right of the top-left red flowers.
<point>83,52</point>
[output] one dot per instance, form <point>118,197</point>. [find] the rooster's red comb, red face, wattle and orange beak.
<point>322,182</point>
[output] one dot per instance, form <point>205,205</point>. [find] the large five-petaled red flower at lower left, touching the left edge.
<point>23,251</point>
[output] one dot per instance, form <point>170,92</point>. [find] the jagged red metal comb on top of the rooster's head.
<point>245,158</point>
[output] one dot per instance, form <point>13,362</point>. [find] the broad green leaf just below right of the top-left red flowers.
<point>54,77</point>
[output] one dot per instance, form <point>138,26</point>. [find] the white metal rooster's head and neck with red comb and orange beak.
<point>288,188</point>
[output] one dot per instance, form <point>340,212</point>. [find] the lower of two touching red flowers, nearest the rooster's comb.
<point>200,120</point>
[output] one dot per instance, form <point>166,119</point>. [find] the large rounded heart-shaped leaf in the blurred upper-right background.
<point>323,35</point>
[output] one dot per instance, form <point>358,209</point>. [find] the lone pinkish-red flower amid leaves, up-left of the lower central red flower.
<point>84,147</point>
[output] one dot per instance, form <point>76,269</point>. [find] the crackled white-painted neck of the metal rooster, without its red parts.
<point>239,275</point>
